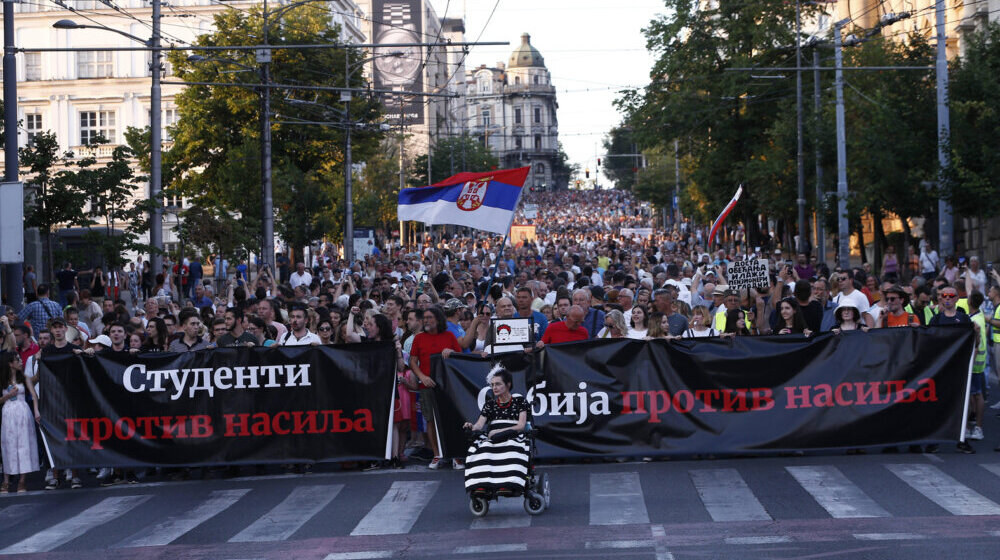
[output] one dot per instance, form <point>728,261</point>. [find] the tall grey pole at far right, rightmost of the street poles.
<point>946,226</point>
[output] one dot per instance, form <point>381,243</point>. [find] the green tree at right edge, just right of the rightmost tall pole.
<point>973,184</point>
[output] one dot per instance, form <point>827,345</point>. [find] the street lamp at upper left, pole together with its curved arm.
<point>155,148</point>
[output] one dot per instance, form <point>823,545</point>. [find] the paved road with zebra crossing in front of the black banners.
<point>870,506</point>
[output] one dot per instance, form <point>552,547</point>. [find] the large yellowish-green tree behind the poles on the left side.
<point>216,147</point>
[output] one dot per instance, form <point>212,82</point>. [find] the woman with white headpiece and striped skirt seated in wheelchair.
<point>498,460</point>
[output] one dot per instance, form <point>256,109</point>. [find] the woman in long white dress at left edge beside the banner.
<point>18,445</point>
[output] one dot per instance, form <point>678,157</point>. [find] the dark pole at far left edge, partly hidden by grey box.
<point>13,285</point>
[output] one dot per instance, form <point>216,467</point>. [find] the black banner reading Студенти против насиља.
<point>222,406</point>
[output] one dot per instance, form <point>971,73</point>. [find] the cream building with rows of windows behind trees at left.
<point>82,94</point>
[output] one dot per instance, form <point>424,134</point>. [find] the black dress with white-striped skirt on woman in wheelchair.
<point>491,466</point>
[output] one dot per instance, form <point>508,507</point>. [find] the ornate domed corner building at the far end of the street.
<point>511,108</point>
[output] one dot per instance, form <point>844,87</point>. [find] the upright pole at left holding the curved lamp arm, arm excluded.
<point>155,146</point>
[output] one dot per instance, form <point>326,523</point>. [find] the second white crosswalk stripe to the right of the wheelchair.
<point>726,495</point>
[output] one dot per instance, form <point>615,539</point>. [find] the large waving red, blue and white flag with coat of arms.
<point>483,201</point>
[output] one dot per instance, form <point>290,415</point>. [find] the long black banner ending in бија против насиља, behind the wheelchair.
<point>774,394</point>
